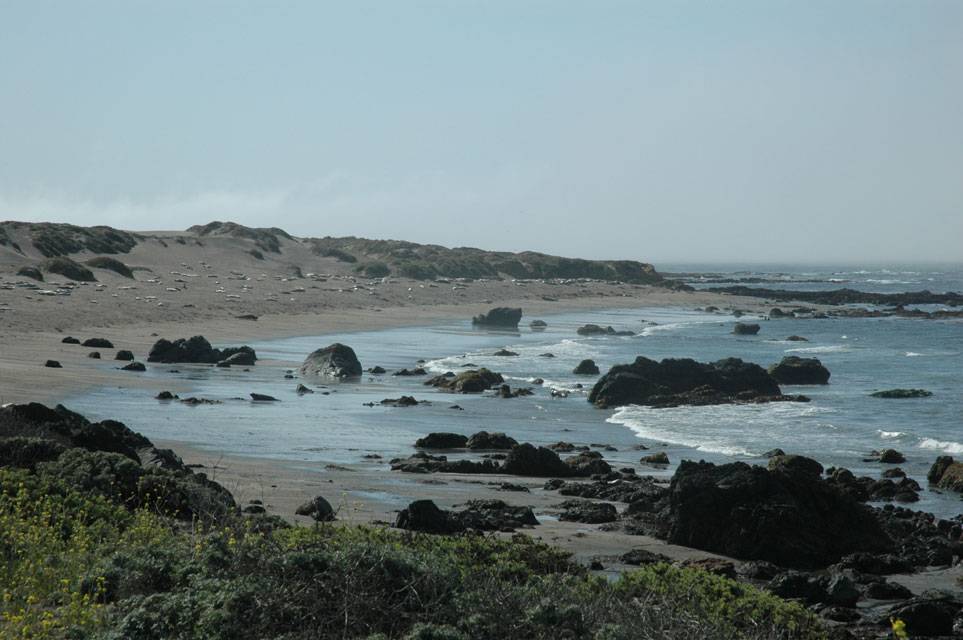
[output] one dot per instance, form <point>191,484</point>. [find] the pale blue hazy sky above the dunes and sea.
<point>658,131</point>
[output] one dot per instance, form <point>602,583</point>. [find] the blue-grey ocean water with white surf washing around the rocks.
<point>839,427</point>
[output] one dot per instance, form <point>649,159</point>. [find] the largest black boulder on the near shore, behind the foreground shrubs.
<point>787,517</point>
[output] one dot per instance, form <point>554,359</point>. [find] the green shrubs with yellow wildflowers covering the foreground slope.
<point>80,563</point>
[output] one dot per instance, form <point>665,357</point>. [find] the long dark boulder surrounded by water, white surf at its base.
<point>675,381</point>
